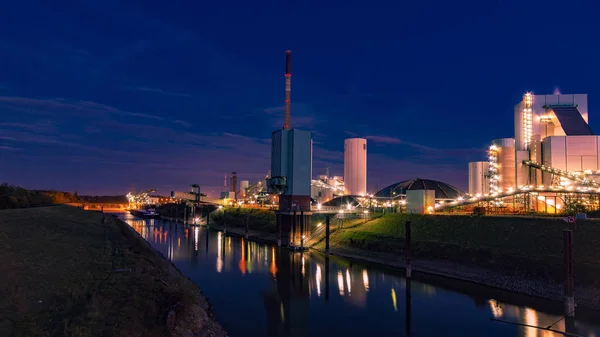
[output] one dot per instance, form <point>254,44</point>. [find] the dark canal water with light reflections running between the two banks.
<point>257,290</point>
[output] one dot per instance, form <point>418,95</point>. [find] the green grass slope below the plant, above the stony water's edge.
<point>531,246</point>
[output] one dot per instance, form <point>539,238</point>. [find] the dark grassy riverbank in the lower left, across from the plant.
<point>80,273</point>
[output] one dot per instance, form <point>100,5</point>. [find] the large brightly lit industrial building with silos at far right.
<point>552,162</point>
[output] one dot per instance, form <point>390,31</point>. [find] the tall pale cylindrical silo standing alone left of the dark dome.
<point>355,166</point>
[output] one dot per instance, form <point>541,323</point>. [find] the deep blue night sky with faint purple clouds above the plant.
<point>100,96</point>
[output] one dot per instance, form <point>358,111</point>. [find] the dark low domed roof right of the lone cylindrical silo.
<point>442,190</point>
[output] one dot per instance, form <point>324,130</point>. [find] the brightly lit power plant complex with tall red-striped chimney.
<point>550,165</point>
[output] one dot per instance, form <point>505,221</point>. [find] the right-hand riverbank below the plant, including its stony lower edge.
<point>522,255</point>
